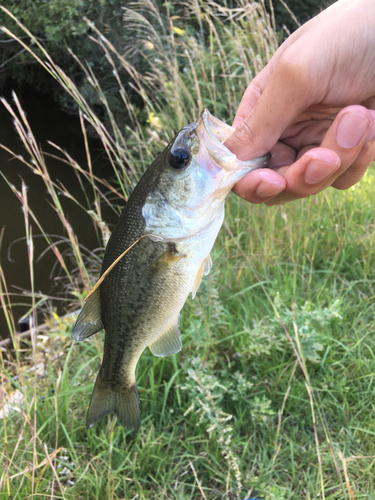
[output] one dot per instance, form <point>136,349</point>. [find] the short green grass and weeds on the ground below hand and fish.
<point>247,408</point>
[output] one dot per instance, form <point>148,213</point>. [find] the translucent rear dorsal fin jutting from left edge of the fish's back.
<point>89,320</point>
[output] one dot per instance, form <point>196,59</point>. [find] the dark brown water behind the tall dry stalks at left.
<point>48,122</point>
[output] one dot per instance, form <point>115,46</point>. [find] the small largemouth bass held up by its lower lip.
<point>173,215</point>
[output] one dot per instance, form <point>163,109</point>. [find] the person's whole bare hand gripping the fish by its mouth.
<point>312,106</point>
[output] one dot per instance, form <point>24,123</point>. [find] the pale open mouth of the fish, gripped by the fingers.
<point>213,133</point>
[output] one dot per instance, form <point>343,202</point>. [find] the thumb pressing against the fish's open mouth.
<point>267,109</point>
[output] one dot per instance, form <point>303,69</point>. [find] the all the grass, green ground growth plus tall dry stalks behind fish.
<point>272,395</point>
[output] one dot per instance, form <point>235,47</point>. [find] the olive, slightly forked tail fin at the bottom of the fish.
<point>124,402</point>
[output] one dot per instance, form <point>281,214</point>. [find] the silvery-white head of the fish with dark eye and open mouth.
<point>197,173</point>
